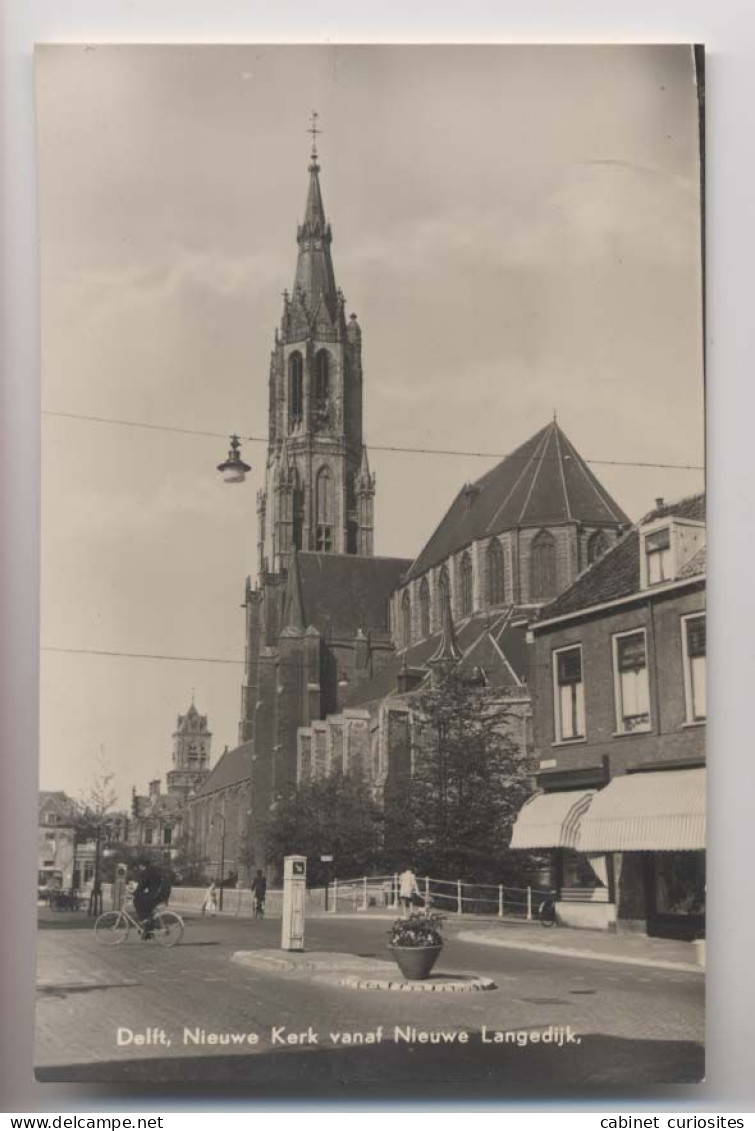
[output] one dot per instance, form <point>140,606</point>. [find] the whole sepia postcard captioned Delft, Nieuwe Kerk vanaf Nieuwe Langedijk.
<point>374,640</point>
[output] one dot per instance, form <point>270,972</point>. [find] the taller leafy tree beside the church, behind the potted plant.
<point>468,781</point>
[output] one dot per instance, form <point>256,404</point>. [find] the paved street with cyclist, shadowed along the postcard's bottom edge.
<point>636,1026</point>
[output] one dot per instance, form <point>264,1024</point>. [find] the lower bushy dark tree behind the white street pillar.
<point>336,816</point>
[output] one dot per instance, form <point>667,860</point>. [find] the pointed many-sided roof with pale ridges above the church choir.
<point>542,484</point>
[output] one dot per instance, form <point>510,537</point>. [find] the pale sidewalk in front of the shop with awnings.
<point>597,946</point>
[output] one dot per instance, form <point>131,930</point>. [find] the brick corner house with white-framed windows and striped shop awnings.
<point>619,680</point>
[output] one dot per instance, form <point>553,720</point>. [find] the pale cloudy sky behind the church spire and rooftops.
<point>517,229</point>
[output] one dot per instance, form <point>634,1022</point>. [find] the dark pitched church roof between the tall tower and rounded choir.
<point>340,594</point>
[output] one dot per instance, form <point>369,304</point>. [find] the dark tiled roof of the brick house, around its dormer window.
<point>618,574</point>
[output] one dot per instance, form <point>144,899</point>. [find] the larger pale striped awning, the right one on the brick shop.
<point>658,811</point>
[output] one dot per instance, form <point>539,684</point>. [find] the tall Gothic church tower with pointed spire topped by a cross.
<point>319,494</point>
